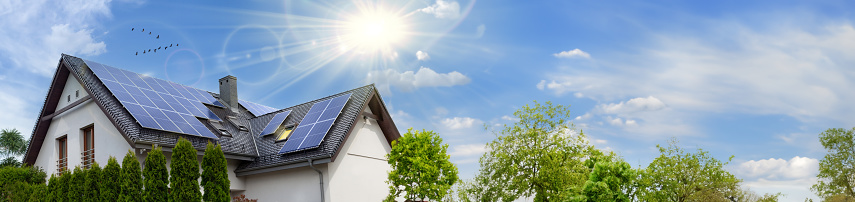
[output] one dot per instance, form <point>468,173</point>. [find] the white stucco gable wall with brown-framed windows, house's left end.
<point>108,140</point>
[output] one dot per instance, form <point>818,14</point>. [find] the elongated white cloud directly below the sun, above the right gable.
<point>409,80</point>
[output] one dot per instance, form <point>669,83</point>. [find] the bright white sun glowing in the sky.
<point>373,30</point>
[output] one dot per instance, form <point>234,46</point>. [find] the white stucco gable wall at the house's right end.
<point>360,170</point>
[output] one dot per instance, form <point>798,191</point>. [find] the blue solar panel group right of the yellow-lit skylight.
<point>315,125</point>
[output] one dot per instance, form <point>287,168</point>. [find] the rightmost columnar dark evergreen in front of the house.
<point>215,177</point>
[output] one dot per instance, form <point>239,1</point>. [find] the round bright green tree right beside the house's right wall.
<point>420,167</point>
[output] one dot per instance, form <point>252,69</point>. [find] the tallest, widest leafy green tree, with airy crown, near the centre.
<point>540,155</point>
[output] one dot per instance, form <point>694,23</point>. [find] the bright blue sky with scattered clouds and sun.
<point>758,80</point>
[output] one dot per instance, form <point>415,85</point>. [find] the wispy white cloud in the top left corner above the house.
<point>35,32</point>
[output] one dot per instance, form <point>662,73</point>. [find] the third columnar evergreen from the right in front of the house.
<point>156,177</point>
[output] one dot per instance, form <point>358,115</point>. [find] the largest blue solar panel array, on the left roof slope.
<point>156,103</point>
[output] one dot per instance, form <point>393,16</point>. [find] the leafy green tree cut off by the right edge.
<point>836,168</point>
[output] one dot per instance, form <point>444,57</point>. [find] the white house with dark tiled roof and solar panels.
<point>328,149</point>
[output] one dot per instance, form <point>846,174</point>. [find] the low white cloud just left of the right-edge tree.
<point>796,167</point>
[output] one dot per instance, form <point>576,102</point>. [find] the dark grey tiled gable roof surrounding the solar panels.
<point>258,152</point>
